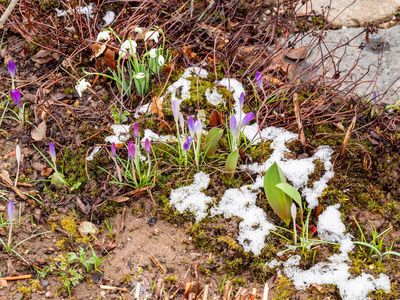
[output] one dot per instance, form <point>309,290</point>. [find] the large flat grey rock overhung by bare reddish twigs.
<point>360,67</point>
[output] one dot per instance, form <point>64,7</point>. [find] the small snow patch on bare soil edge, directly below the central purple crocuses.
<point>191,198</point>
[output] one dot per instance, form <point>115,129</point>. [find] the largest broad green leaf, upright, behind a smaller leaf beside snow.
<point>278,200</point>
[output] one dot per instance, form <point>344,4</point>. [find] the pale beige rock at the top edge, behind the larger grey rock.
<point>351,13</point>
